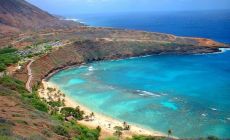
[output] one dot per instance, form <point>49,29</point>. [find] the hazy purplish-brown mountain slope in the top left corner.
<point>17,15</point>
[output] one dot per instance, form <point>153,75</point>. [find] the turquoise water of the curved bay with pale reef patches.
<point>189,94</point>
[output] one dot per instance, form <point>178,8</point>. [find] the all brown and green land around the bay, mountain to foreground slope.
<point>51,44</point>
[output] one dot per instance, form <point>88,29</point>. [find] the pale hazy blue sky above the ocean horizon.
<point>65,7</point>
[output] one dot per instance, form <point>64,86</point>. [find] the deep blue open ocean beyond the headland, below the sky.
<point>208,24</point>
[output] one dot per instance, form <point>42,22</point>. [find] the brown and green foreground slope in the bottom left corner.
<point>24,115</point>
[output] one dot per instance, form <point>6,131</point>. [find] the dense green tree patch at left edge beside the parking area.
<point>8,56</point>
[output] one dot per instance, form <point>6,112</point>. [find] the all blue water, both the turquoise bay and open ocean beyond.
<point>189,94</point>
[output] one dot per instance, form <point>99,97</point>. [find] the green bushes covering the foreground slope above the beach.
<point>70,129</point>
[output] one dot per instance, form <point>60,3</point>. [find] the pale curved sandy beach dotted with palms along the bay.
<point>106,123</point>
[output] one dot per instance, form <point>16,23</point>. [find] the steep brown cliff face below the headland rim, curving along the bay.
<point>89,51</point>
